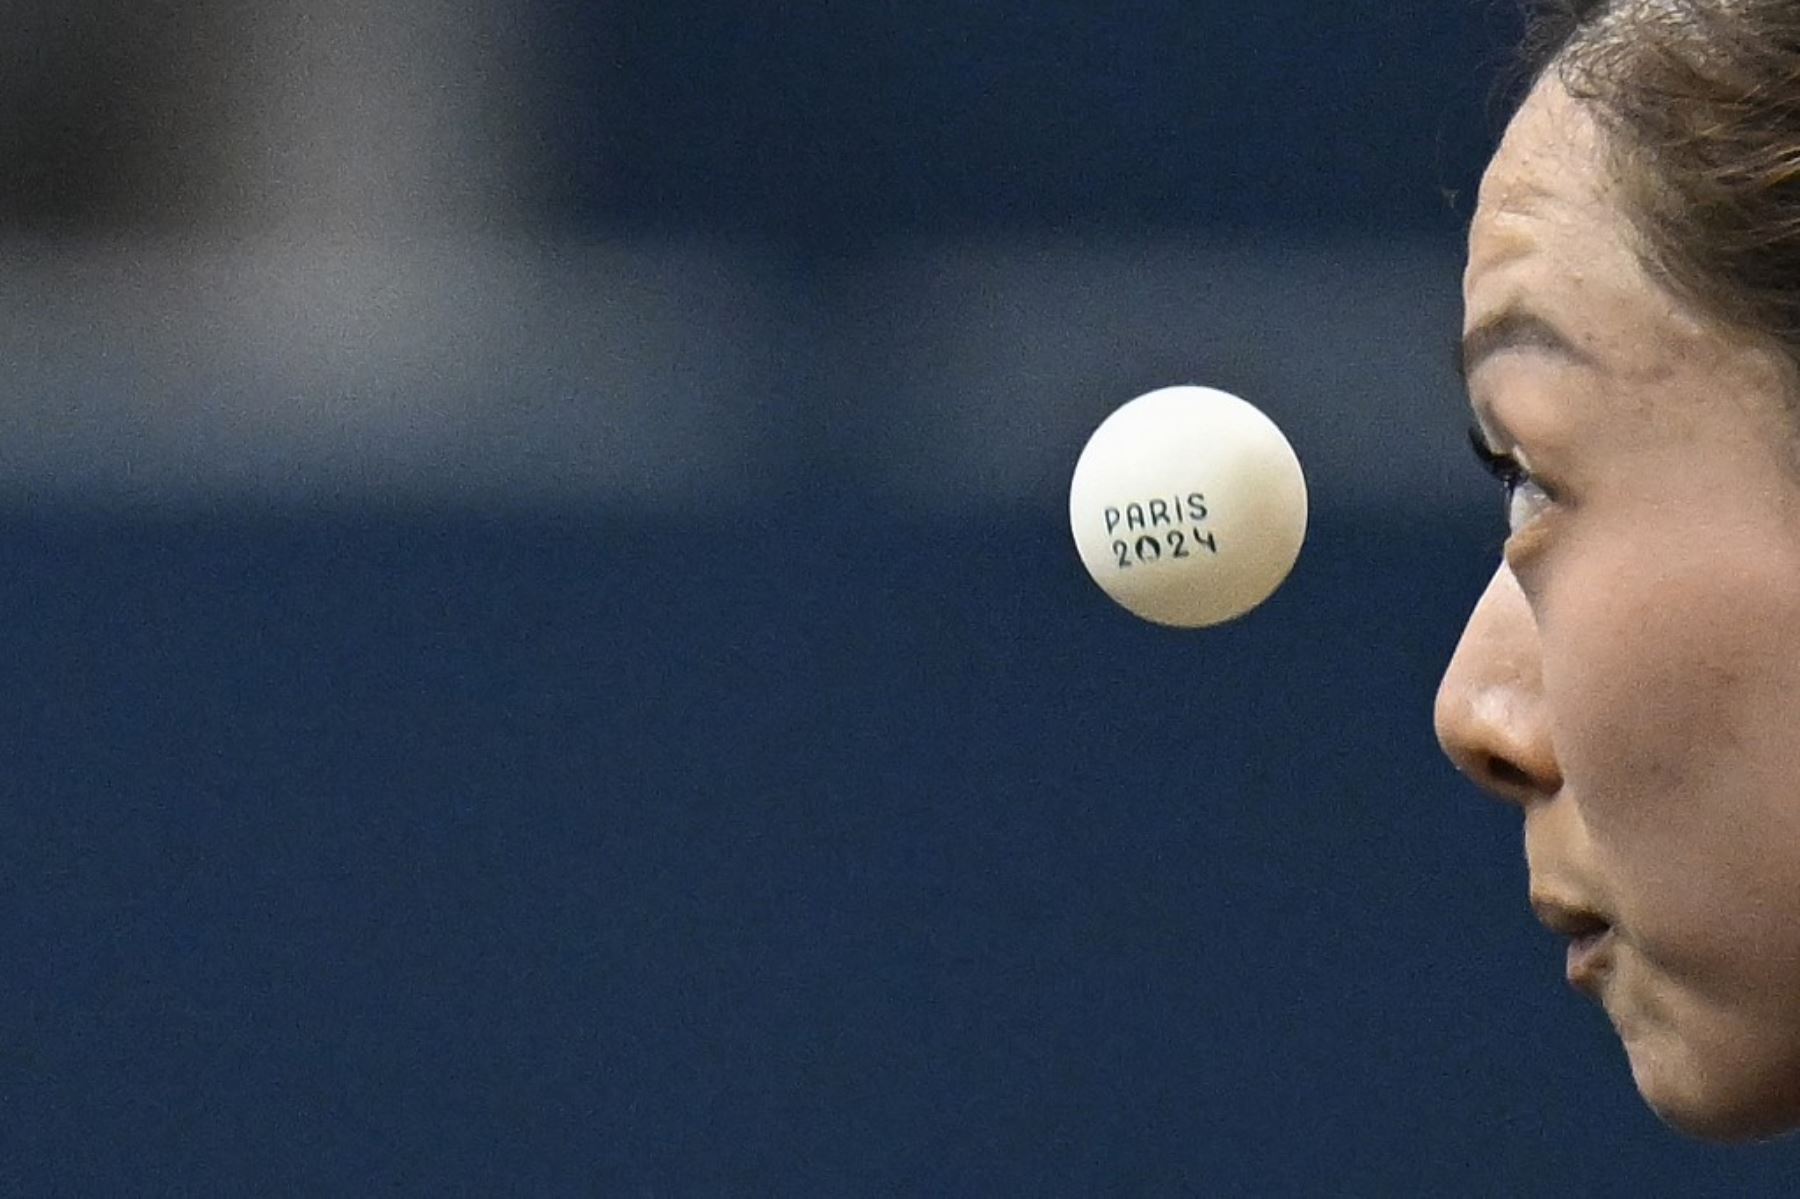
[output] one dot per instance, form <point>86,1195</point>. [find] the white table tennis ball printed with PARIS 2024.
<point>1189,507</point>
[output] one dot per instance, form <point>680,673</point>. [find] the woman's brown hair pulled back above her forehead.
<point>1702,107</point>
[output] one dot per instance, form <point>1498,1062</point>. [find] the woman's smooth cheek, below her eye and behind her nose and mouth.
<point>1673,681</point>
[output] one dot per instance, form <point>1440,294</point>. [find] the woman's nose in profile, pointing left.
<point>1491,716</point>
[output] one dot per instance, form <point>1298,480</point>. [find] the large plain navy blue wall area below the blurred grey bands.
<point>780,852</point>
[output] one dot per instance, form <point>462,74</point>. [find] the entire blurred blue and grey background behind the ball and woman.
<point>543,651</point>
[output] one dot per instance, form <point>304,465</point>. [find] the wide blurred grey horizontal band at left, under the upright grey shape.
<point>330,370</point>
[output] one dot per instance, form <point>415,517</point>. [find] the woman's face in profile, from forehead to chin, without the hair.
<point>1632,676</point>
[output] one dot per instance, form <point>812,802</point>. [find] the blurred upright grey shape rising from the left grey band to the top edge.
<point>364,118</point>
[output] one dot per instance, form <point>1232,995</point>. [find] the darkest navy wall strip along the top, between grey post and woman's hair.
<point>856,122</point>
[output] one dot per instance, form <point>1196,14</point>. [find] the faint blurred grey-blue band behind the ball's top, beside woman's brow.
<point>980,370</point>
